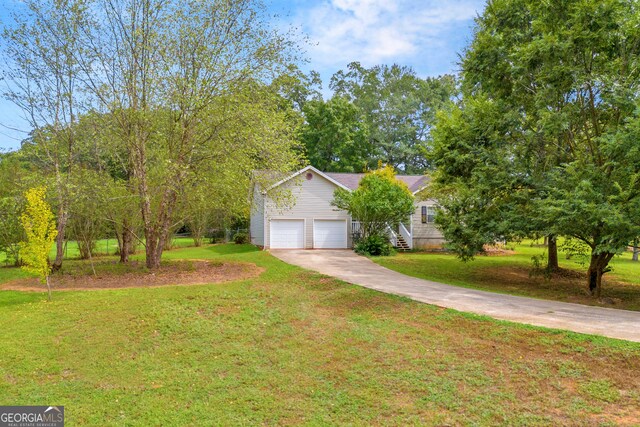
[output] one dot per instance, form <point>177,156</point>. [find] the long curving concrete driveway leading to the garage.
<point>352,268</point>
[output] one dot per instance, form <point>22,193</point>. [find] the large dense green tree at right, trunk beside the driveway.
<point>545,139</point>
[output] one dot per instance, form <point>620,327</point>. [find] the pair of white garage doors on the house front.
<point>326,234</point>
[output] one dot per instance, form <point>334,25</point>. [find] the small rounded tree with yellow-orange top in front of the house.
<point>380,201</point>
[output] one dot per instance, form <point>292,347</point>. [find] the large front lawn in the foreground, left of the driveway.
<point>293,347</point>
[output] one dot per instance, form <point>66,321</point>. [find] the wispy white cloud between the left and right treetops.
<point>377,31</point>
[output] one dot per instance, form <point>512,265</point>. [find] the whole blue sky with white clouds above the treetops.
<point>427,35</point>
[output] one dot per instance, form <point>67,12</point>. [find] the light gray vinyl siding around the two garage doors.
<point>311,199</point>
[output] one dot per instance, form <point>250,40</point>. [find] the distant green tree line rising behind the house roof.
<point>383,114</point>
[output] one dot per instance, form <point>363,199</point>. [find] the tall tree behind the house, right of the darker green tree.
<point>398,109</point>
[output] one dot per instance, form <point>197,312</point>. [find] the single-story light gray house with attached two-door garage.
<point>309,221</point>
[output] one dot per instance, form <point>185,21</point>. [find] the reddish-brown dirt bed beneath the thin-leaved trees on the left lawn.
<point>135,275</point>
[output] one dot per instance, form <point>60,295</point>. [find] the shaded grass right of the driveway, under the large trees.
<point>512,274</point>
